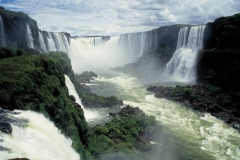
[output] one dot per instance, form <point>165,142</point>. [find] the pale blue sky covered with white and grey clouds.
<point>115,17</point>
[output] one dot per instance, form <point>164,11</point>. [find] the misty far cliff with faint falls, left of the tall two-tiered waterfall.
<point>141,43</point>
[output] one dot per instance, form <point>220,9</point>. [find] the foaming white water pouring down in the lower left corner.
<point>38,140</point>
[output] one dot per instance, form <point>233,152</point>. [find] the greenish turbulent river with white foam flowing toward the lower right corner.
<point>193,135</point>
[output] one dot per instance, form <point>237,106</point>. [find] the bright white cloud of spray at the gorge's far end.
<point>87,57</point>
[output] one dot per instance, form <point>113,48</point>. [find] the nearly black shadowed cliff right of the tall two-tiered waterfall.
<point>219,62</point>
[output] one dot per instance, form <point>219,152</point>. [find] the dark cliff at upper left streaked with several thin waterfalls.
<point>20,31</point>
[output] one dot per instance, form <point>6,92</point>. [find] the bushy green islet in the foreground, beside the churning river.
<point>130,134</point>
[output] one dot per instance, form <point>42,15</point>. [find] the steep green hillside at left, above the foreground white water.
<point>36,82</point>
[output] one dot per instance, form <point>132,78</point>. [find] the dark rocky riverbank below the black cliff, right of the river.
<point>207,99</point>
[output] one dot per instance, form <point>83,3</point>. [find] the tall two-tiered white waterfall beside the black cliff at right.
<point>182,65</point>
